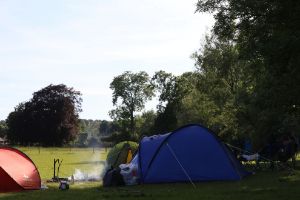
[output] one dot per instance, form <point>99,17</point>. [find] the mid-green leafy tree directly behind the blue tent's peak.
<point>222,88</point>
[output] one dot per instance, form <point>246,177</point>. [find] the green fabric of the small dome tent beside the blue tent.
<point>118,154</point>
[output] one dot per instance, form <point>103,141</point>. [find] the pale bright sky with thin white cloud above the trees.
<point>84,44</point>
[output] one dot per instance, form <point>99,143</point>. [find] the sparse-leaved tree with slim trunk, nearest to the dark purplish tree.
<point>130,93</point>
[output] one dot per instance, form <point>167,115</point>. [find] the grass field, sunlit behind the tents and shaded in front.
<point>262,185</point>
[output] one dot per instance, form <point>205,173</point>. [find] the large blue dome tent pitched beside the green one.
<point>192,152</point>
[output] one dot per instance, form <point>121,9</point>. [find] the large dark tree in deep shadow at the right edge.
<point>267,36</point>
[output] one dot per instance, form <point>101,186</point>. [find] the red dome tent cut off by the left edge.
<point>17,171</point>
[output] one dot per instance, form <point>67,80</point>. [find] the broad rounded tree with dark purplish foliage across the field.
<point>49,118</point>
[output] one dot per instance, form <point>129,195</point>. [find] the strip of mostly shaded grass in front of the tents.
<point>263,185</point>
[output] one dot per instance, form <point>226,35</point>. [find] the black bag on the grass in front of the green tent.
<point>113,177</point>
